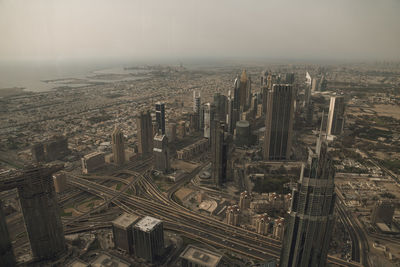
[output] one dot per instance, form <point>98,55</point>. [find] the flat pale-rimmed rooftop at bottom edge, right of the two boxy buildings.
<point>201,256</point>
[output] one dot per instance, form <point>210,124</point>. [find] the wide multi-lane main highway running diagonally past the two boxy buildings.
<point>196,226</point>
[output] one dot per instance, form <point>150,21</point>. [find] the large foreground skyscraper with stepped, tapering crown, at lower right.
<point>310,219</point>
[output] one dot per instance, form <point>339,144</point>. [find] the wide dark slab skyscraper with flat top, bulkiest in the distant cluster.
<point>279,122</point>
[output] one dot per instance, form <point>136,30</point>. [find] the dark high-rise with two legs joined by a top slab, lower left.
<point>40,211</point>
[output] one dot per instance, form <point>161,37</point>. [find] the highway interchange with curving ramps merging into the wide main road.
<point>195,226</point>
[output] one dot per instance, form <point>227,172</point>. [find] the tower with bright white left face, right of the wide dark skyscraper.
<point>336,115</point>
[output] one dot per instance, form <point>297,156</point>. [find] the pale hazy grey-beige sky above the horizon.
<point>178,29</point>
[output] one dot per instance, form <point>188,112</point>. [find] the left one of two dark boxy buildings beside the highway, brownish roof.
<point>123,232</point>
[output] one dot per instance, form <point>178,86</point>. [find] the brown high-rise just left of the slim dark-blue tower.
<point>145,133</point>
